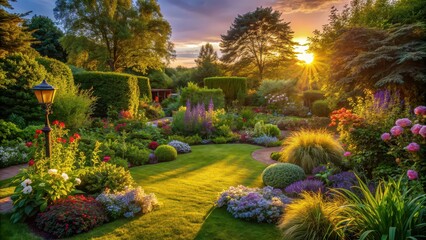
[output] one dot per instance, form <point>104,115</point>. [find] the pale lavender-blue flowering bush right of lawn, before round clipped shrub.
<point>262,205</point>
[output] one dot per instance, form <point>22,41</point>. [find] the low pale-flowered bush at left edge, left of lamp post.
<point>13,155</point>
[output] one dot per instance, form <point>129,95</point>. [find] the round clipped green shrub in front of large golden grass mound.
<point>280,175</point>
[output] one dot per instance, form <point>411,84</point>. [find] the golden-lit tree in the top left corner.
<point>13,37</point>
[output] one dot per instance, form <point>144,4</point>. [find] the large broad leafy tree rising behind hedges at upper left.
<point>119,34</point>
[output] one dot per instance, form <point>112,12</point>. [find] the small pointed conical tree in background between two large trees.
<point>207,64</point>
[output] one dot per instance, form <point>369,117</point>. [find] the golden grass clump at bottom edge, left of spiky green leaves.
<point>311,217</point>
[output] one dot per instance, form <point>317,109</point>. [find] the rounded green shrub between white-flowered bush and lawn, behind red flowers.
<point>98,178</point>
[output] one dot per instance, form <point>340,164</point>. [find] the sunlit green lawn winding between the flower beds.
<point>187,189</point>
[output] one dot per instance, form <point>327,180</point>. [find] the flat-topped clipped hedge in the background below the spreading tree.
<point>234,88</point>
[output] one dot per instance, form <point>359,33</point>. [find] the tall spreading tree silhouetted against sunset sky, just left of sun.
<point>259,40</point>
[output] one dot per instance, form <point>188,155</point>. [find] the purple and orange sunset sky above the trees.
<point>195,22</point>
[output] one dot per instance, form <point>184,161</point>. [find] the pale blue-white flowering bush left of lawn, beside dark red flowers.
<point>128,202</point>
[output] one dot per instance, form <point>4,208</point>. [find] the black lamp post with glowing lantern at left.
<point>45,94</point>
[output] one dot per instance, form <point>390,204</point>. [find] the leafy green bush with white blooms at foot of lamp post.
<point>37,189</point>
